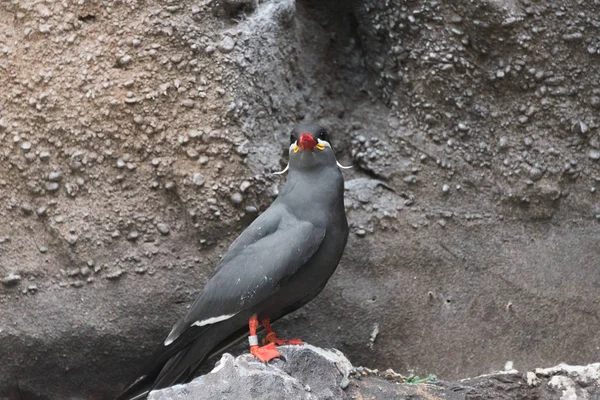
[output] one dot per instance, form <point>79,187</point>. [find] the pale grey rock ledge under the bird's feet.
<point>313,373</point>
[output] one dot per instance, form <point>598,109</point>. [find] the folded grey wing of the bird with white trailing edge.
<point>270,250</point>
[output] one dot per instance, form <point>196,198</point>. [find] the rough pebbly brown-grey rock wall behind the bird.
<point>495,101</point>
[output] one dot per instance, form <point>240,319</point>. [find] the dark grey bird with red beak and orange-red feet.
<point>279,263</point>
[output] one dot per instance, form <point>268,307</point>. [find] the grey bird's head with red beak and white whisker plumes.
<point>310,147</point>
